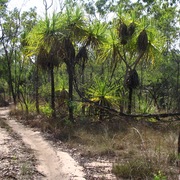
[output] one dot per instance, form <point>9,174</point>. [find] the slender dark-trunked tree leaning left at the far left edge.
<point>10,30</point>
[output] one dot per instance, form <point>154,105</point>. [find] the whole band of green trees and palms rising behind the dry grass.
<point>129,62</point>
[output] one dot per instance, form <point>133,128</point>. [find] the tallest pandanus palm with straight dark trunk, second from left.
<point>73,30</point>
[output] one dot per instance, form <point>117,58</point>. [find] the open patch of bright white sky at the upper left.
<point>25,5</point>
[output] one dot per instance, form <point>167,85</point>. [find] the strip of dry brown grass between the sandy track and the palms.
<point>139,150</point>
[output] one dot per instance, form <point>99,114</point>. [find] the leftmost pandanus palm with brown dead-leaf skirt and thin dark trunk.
<point>44,42</point>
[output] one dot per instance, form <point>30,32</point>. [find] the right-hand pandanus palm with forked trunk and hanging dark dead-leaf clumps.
<point>131,41</point>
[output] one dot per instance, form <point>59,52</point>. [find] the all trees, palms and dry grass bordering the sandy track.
<point>102,77</point>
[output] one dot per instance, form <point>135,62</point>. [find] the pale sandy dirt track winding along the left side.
<point>52,163</point>
